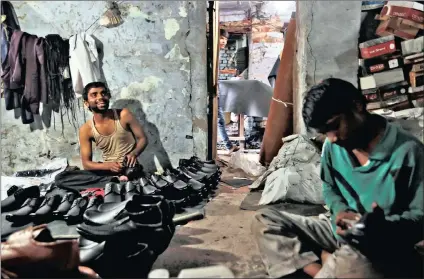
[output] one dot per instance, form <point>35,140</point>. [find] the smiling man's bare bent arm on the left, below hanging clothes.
<point>86,151</point>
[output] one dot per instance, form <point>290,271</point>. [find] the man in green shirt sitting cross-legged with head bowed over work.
<point>370,168</point>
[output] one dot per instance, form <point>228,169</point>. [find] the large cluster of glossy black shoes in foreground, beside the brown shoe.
<point>134,230</point>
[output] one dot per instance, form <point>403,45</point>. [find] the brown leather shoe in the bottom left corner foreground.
<point>32,253</point>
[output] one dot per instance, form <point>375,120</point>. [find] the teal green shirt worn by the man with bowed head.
<point>393,179</point>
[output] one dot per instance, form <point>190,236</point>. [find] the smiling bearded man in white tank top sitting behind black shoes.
<point>117,133</point>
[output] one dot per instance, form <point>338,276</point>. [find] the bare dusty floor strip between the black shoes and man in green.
<point>222,237</point>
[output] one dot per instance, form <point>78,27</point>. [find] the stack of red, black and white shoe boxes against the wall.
<point>391,66</point>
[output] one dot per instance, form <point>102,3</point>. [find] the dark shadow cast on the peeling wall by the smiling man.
<point>154,145</point>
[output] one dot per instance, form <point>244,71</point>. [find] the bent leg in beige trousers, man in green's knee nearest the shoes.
<point>289,242</point>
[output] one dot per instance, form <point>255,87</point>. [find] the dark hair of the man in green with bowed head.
<point>331,97</point>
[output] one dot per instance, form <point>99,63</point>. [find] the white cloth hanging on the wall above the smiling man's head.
<point>83,62</point>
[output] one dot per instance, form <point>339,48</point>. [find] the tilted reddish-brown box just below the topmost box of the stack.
<point>397,27</point>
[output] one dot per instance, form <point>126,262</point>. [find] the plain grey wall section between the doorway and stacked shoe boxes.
<point>327,46</point>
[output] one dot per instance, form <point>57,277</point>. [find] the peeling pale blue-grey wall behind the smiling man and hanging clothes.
<point>154,63</point>
